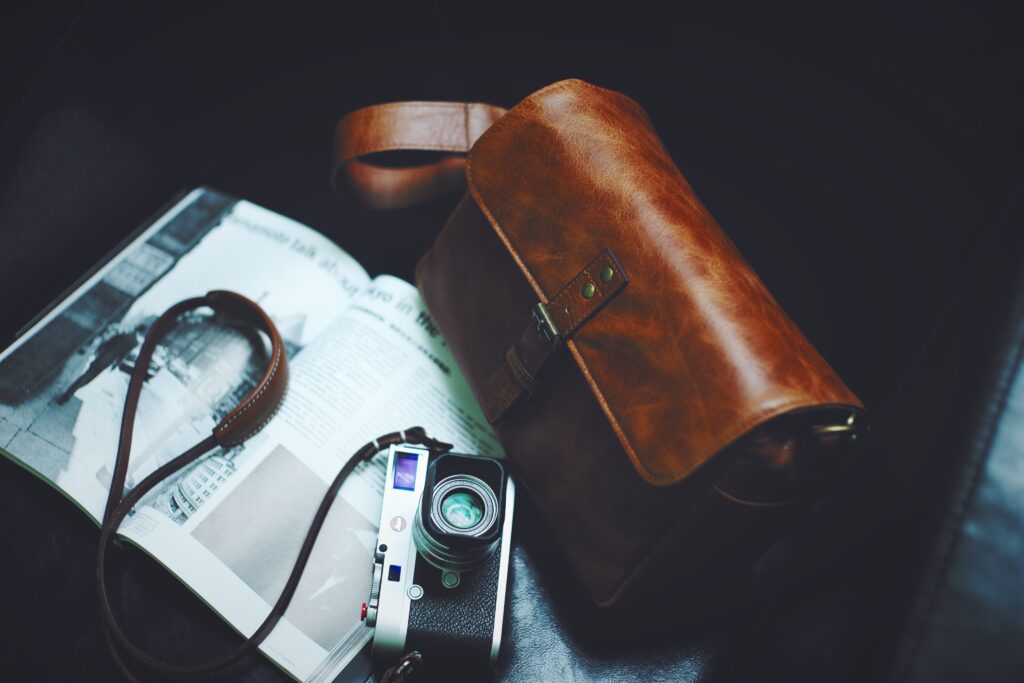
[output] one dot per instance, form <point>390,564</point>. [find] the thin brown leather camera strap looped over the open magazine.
<point>248,418</point>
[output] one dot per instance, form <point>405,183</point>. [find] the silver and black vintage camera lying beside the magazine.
<point>442,564</point>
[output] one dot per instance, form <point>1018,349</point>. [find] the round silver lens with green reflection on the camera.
<point>468,556</point>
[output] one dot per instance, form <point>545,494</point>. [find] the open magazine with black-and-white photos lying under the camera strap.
<point>365,360</point>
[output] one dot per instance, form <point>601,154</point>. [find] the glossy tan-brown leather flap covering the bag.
<point>695,353</point>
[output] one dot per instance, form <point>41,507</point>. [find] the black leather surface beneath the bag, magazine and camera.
<point>858,157</point>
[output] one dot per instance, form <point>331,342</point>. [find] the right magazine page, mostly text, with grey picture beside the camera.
<point>380,367</point>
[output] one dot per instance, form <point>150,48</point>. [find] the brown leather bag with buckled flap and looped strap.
<point>670,421</point>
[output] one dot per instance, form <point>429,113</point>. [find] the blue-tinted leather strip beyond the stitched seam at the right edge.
<point>967,620</point>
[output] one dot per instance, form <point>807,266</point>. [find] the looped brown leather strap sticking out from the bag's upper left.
<point>450,129</point>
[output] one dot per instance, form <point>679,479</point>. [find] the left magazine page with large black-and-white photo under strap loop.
<point>63,383</point>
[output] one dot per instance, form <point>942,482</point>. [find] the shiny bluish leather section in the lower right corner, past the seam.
<point>969,604</point>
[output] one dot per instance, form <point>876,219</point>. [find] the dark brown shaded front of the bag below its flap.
<point>604,517</point>
